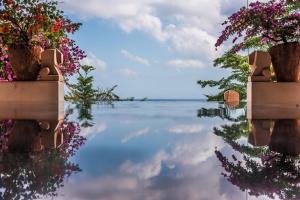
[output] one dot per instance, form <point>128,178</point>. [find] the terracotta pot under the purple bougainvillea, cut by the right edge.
<point>286,61</point>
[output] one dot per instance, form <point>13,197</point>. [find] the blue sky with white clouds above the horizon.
<point>152,48</point>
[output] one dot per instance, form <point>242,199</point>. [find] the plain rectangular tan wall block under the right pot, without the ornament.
<point>273,100</point>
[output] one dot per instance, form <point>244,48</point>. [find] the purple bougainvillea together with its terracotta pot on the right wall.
<point>277,23</point>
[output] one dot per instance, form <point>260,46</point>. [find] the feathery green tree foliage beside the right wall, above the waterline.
<point>236,81</point>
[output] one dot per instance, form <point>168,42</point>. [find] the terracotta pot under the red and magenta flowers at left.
<point>25,62</point>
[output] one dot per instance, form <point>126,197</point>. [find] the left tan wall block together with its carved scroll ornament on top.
<point>41,99</point>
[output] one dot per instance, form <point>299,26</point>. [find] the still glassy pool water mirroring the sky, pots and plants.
<point>154,150</point>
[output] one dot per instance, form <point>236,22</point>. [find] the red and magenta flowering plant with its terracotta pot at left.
<point>28,27</point>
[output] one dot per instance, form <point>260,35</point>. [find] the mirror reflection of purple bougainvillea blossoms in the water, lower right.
<point>275,176</point>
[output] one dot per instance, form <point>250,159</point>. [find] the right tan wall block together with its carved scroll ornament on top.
<point>267,99</point>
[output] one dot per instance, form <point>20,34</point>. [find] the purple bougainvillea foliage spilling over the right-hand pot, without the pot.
<point>275,22</point>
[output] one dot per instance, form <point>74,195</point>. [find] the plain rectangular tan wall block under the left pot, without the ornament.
<point>32,100</point>
